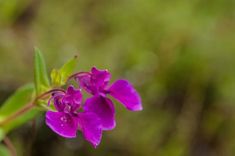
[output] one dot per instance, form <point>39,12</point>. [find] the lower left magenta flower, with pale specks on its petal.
<point>67,119</point>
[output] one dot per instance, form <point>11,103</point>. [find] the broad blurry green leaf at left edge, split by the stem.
<point>17,101</point>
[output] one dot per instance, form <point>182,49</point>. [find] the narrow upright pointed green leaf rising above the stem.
<point>40,73</point>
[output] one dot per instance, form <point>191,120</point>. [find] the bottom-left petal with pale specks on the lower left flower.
<point>62,123</point>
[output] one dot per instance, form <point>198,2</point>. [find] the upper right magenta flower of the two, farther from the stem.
<point>96,82</point>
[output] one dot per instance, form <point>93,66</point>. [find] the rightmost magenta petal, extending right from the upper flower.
<point>124,92</point>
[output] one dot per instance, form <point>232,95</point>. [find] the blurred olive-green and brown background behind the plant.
<point>179,54</point>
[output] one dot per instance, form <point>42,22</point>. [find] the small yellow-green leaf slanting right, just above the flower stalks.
<point>59,77</point>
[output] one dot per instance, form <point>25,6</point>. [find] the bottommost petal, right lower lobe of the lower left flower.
<point>90,127</point>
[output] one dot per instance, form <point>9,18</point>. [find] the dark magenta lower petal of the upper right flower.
<point>104,109</point>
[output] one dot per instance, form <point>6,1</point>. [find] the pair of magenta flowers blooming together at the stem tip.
<point>96,113</point>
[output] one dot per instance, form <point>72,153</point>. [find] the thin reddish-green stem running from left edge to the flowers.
<point>28,107</point>
